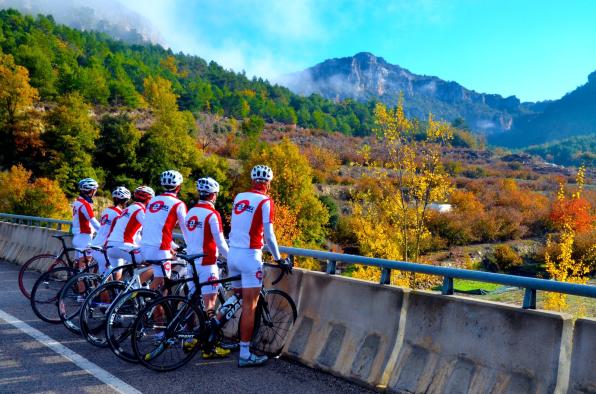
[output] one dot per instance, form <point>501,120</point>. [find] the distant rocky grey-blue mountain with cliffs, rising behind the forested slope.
<point>366,76</point>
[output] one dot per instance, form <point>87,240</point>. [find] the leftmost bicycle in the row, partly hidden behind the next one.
<point>33,268</point>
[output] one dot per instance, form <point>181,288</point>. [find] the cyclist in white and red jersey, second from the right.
<point>204,235</point>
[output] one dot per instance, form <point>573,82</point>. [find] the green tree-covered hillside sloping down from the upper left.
<point>105,71</point>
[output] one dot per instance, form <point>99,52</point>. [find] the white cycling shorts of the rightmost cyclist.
<point>249,264</point>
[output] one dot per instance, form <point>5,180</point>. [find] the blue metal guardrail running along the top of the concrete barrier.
<point>531,285</point>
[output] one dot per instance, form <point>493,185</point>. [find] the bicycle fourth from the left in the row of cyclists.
<point>93,314</point>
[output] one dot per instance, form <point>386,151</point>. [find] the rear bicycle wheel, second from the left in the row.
<point>44,296</point>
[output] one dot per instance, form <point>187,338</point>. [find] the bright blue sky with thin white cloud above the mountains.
<point>533,49</point>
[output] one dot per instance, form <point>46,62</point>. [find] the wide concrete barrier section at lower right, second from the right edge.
<point>453,344</point>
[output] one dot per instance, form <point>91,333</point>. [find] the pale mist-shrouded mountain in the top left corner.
<point>106,16</point>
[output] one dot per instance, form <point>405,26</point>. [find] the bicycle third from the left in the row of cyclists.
<point>79,287</point>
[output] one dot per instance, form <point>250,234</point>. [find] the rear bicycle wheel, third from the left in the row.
<point>73,295</point>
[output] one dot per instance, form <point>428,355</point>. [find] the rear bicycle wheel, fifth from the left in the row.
<point>120,319</point>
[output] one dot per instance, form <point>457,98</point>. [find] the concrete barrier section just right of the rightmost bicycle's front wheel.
<point>341,330</point>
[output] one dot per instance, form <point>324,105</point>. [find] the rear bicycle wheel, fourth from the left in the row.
<point>92,319</point>
